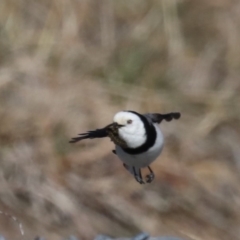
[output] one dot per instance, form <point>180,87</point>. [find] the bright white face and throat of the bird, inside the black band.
<point>133,132</point>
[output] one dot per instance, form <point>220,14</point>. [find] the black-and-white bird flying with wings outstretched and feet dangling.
<point>137,138</point>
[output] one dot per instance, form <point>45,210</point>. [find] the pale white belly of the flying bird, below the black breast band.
<point>146,158</point>
